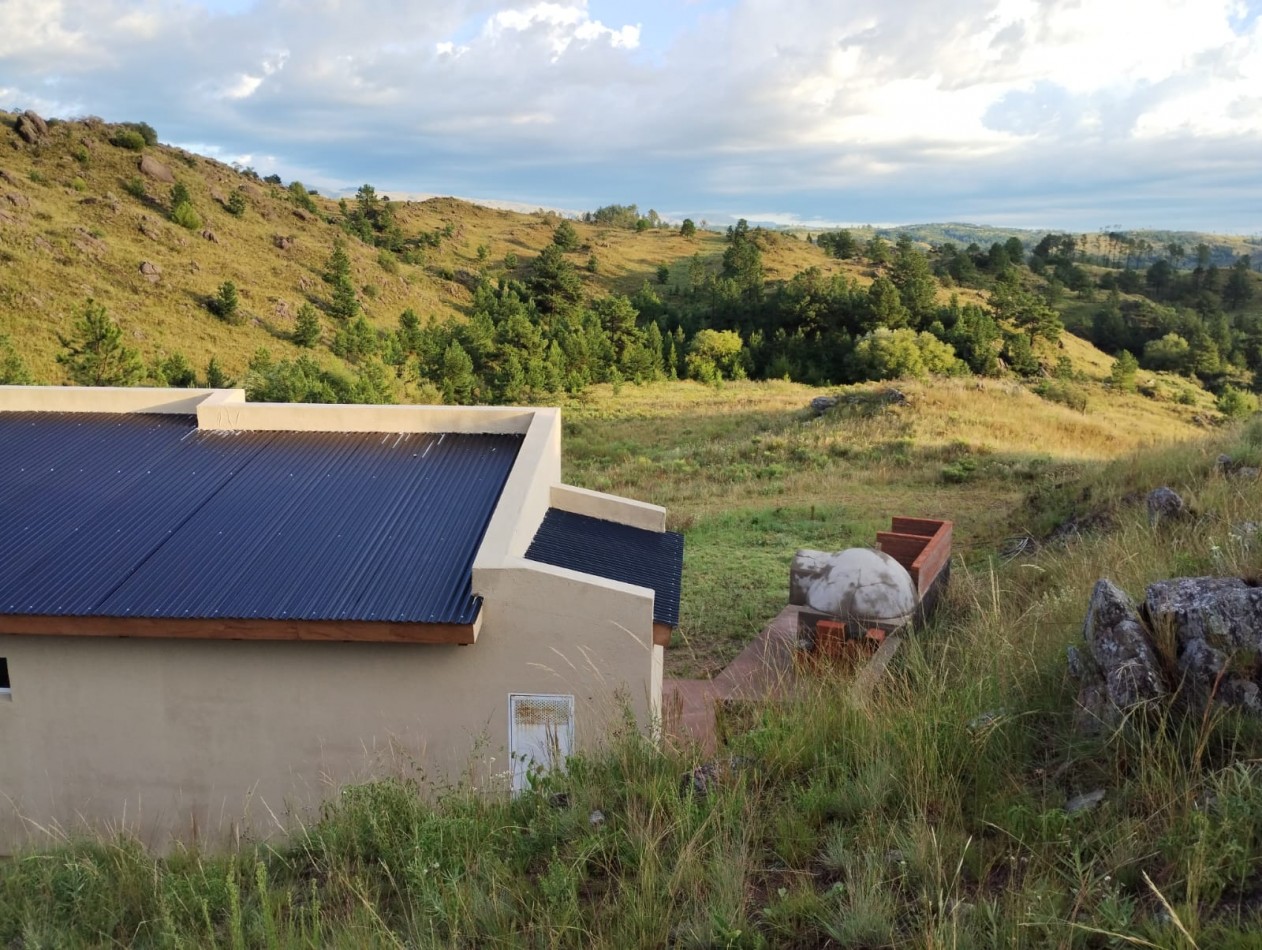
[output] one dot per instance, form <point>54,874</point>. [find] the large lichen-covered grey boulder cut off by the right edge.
<point>1216,625</point>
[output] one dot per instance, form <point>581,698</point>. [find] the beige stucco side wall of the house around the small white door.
<point>176,740</point>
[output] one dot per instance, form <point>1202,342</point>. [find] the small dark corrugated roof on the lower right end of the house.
<point>606,549</point>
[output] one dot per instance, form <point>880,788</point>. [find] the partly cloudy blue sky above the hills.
<point>1046,114</point>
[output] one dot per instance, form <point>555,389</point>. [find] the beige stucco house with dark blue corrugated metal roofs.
<point>214,614</point>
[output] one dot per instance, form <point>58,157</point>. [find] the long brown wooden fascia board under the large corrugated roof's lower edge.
<point>199,629</point>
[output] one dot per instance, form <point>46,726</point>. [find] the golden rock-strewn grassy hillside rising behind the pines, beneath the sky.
<point>71,229</point>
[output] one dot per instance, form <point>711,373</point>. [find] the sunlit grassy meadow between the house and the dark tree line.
<point>750,474</point>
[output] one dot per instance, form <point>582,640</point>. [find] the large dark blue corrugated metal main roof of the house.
<point>150,517</point>
